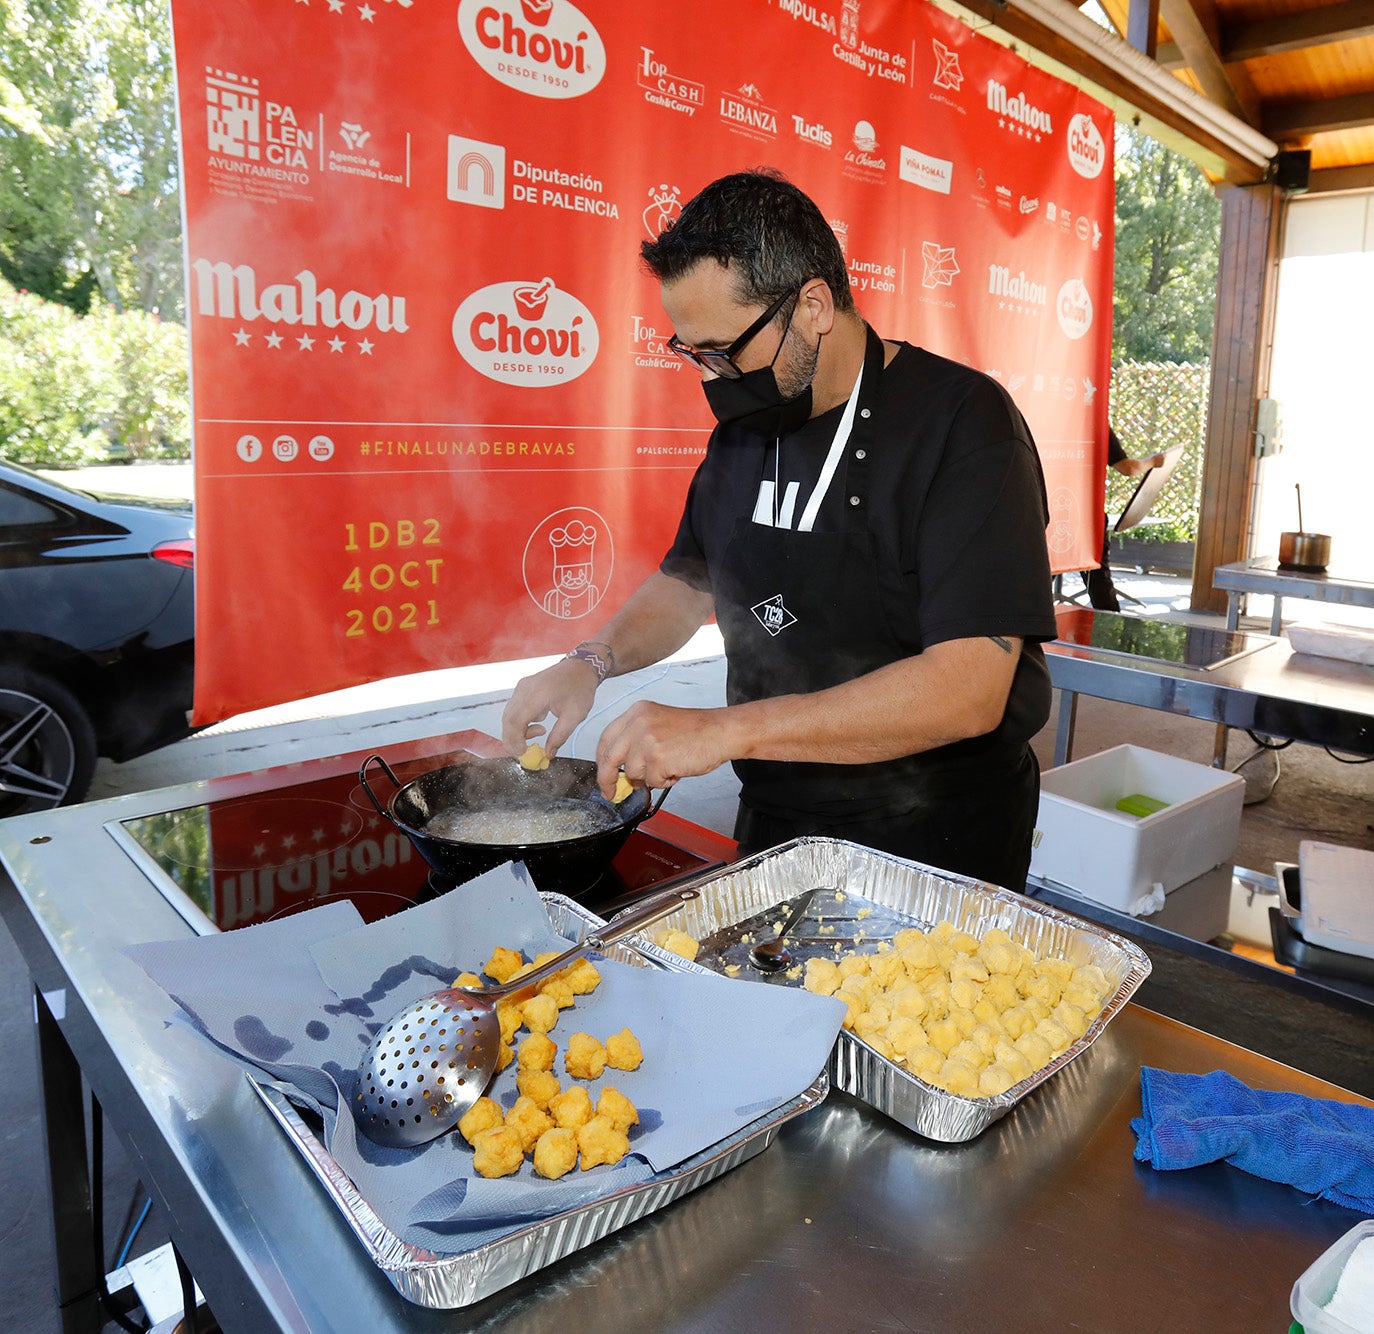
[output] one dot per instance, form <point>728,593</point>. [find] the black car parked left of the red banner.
<point>97,634</point>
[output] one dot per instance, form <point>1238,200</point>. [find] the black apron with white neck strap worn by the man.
<point>802,612</point>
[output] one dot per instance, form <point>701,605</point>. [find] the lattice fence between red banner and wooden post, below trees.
<point>1155,406</point>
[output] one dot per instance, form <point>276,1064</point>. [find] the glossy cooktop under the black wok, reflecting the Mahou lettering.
<point>241,861</point>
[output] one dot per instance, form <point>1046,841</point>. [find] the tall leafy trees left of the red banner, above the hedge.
<point>90,200</point>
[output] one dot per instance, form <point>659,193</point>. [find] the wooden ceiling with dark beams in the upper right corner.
<point>1299,71</point>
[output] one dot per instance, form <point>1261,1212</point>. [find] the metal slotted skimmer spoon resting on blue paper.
<point>435,1060</point>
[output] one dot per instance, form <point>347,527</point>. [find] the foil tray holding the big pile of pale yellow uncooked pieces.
<point>866,898</point>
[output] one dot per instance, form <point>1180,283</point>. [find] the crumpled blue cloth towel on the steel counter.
<point>1321,1146</point>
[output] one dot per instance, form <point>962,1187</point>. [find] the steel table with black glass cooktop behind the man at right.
<point>1270,689</point>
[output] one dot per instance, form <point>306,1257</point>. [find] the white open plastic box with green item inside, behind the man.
<point>1119,859</point>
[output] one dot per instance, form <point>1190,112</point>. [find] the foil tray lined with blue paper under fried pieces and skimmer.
<point>450,1281</point>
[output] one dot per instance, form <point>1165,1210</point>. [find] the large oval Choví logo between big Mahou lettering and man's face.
<point>531,335</point>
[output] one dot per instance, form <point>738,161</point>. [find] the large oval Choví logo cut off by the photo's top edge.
<point>548,49</point>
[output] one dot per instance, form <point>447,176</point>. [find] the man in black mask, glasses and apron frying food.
<point>868,528</point>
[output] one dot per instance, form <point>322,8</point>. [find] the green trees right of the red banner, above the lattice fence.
<point>1169,225</point>
